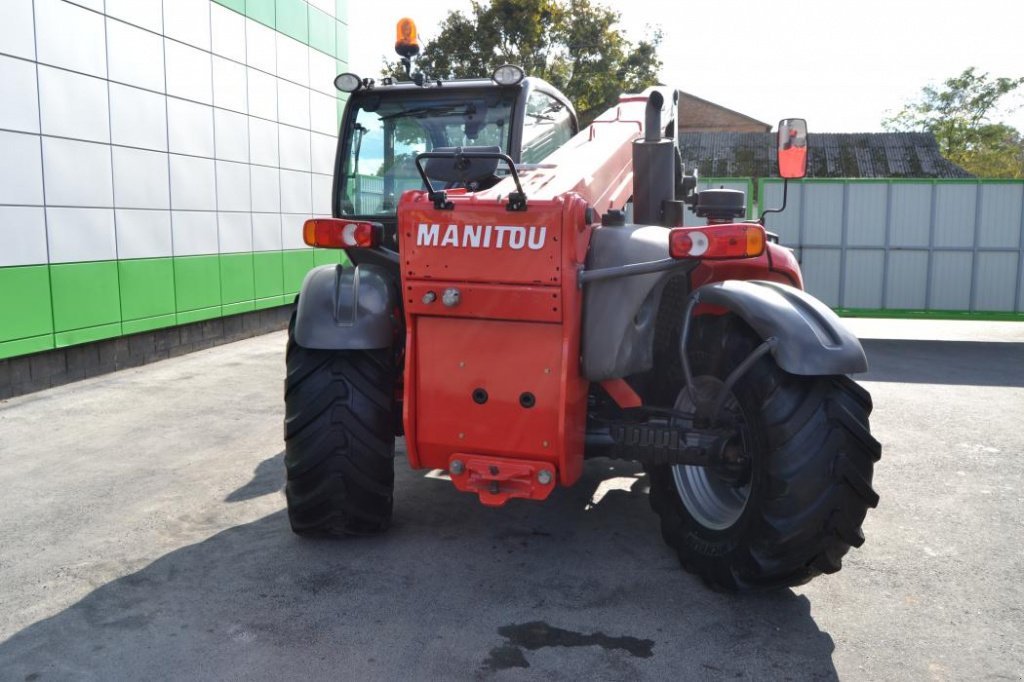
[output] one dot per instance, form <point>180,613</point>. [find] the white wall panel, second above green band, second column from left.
<point>77,174</point>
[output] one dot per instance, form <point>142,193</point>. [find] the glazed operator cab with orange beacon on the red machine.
<point>388,124</point>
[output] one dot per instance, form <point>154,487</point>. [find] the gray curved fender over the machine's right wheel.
<point>810,338</point>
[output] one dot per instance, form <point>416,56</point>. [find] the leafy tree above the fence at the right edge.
<point>959,116</point>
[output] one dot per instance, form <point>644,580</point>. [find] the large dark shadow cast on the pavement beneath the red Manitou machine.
<point>580,587</point>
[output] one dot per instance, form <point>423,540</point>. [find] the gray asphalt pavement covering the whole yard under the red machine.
<point>143,536</point>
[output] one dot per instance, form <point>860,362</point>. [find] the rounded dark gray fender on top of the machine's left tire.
<point>348,309</point>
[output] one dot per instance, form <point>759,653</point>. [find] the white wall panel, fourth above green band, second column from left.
<point>71,37</point>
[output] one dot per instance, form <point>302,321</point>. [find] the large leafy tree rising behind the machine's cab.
<point>573,45</point>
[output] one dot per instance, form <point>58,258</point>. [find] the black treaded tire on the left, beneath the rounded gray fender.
<point>339,440</point>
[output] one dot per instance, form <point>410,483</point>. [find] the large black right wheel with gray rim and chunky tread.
<point>809,486</point>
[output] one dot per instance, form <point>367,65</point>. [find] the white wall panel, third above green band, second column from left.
<point>74,106</point>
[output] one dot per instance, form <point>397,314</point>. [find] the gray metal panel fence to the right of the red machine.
<point>906,245</point>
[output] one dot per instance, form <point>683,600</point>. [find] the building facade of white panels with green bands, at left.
<point>159,158</point>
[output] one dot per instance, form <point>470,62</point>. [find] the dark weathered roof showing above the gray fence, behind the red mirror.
<point>830,155</point>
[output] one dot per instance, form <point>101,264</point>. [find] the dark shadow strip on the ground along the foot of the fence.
<point>960,363</point>
